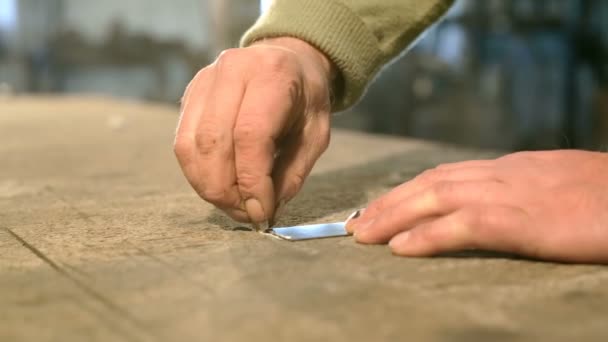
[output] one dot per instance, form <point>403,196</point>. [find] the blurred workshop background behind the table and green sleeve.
<point>508,74</point>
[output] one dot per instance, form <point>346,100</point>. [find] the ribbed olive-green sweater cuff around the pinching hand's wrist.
<point>336,31</point>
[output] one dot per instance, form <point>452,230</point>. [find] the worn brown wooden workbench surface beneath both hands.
<point>101,239</point>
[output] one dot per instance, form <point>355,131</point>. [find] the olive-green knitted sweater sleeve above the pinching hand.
<point>359,36</point>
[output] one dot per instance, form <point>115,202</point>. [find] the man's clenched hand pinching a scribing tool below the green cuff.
<point>252,126</point>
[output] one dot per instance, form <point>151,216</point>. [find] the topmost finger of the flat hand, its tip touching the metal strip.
<point>421,182</point>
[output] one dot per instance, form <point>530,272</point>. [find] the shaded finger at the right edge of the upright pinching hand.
<point>298,157</point>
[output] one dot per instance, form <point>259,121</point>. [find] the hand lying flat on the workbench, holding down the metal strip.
<point>546,205</point>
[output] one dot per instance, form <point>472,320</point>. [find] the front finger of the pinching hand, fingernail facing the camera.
<point>263,117</point>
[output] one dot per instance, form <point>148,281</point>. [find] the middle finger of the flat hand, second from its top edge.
<point>440,199</point>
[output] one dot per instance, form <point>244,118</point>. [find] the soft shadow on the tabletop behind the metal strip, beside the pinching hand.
<point>348,189</point>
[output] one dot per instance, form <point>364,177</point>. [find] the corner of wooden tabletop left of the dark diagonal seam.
<point>41,301</point>
